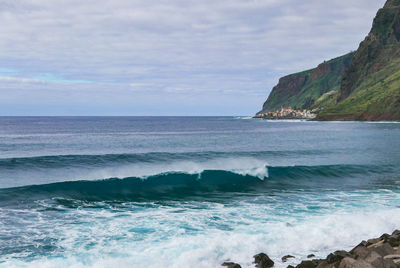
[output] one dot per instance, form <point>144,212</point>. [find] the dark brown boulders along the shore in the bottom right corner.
<point>382,252</point>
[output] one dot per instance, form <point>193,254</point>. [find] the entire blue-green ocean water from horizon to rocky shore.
<point>191,191</point>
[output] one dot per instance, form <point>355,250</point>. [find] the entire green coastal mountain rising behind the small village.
<point>364,85</point>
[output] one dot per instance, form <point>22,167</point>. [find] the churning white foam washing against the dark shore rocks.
<point>185,236</point>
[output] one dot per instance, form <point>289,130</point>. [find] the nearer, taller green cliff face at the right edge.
<point>370,89</point>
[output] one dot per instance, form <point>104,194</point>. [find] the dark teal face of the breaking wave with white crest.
<point>177,185</point>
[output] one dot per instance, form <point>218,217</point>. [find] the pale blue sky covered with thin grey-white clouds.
<point>165,57</point>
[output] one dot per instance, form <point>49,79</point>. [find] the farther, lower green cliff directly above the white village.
<point>302,90</point>
